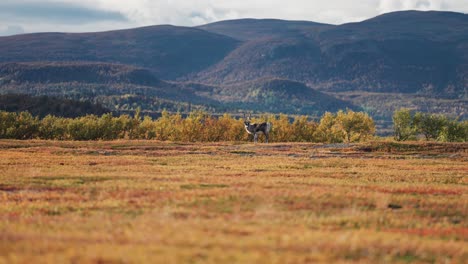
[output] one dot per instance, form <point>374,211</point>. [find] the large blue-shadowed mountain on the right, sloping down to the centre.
<point>410,52</point>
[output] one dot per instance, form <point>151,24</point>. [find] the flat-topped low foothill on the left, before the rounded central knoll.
<point>118,87</point>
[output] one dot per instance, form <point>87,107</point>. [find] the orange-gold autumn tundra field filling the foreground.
<point>163,202</point>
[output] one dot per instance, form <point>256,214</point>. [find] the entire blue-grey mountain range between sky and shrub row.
<point>258,64</point>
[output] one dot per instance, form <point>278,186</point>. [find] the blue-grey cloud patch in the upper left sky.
<point>55,12</point>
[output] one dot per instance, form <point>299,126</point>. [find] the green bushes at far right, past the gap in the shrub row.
<point>409,125</point>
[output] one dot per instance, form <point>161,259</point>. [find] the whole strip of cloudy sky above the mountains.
<point>25,16</point>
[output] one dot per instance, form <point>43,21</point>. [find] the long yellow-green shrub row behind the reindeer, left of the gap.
<point>198,126</point>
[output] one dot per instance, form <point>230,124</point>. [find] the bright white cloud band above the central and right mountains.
<point>181,12</point>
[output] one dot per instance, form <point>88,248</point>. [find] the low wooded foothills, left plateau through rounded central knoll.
<point>122,88</point>
